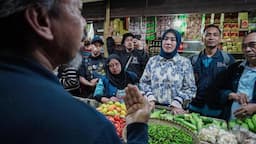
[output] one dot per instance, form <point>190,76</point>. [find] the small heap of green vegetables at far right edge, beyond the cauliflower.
<point>248,123</point>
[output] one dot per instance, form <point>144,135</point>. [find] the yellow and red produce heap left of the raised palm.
<point>115,112</point>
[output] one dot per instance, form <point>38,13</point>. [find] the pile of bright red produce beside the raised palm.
<point>119,124</point>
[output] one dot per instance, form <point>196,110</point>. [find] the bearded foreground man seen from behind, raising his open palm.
<point>35,108</point>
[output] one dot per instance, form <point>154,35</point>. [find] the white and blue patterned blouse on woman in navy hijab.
<point>168,81</point>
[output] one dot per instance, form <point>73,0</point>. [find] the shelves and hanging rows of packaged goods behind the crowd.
<point>234,27</point>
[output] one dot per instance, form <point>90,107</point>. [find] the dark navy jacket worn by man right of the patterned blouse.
<point>206,78</point>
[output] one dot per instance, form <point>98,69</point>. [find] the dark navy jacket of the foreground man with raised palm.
<point>35,109</point>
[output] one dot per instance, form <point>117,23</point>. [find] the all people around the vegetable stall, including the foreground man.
<point>38,106</point>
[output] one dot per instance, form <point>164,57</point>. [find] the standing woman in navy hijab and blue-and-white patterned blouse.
<point>168,77</point>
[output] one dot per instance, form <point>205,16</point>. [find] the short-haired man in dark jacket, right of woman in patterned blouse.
<point>207,66</point>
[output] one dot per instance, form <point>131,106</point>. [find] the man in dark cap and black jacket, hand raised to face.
<point>134,60</point>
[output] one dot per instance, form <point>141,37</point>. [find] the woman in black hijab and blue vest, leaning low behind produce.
<point>111,87</point>
